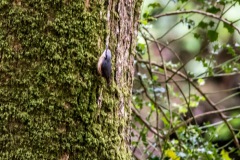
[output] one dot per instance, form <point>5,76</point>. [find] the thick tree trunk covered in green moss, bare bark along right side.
<point>53,104</point>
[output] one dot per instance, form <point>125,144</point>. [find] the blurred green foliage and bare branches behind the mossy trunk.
<point>186,89</point>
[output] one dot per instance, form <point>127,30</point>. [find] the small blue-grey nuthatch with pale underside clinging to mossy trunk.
<point>104,65</point>
